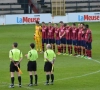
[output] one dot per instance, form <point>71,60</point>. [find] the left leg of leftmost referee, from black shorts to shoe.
<point>12,70</point>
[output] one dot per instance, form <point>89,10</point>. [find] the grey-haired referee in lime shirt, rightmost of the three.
<point>49,58</point>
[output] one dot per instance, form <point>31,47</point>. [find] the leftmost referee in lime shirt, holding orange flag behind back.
<point>15,56</point>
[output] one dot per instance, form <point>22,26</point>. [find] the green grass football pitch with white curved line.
<point>71,73</point>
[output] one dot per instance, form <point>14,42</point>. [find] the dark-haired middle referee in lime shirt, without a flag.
<point>32,65</point>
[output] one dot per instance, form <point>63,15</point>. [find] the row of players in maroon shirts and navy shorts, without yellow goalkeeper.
<point>77,39</point>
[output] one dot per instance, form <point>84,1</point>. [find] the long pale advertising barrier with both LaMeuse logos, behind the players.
<point>31,18</point>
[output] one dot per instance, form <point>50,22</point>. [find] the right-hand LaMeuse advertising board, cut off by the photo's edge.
<point>84,17</point>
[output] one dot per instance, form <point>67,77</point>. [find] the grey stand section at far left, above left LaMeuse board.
<point>13,6</point>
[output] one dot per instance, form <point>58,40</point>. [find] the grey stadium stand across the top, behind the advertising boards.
<point>45,6</point>
